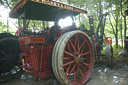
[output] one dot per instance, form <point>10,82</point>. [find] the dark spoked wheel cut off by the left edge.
<point>9,55</point>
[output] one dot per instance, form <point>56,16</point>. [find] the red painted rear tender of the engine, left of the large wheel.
<point>31,58</point>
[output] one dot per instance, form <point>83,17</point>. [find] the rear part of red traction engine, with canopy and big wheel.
<point>67,52</point>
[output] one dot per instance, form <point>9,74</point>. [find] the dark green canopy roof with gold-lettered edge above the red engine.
<point>45,10</point>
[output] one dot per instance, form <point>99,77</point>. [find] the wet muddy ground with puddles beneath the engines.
<point>101,75</point>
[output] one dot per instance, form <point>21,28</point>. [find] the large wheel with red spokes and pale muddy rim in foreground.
<point>72,58</point>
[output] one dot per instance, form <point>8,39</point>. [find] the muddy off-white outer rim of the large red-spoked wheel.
<point>60,69</point>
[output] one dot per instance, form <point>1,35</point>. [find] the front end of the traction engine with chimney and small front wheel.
<point>98,40</point>
